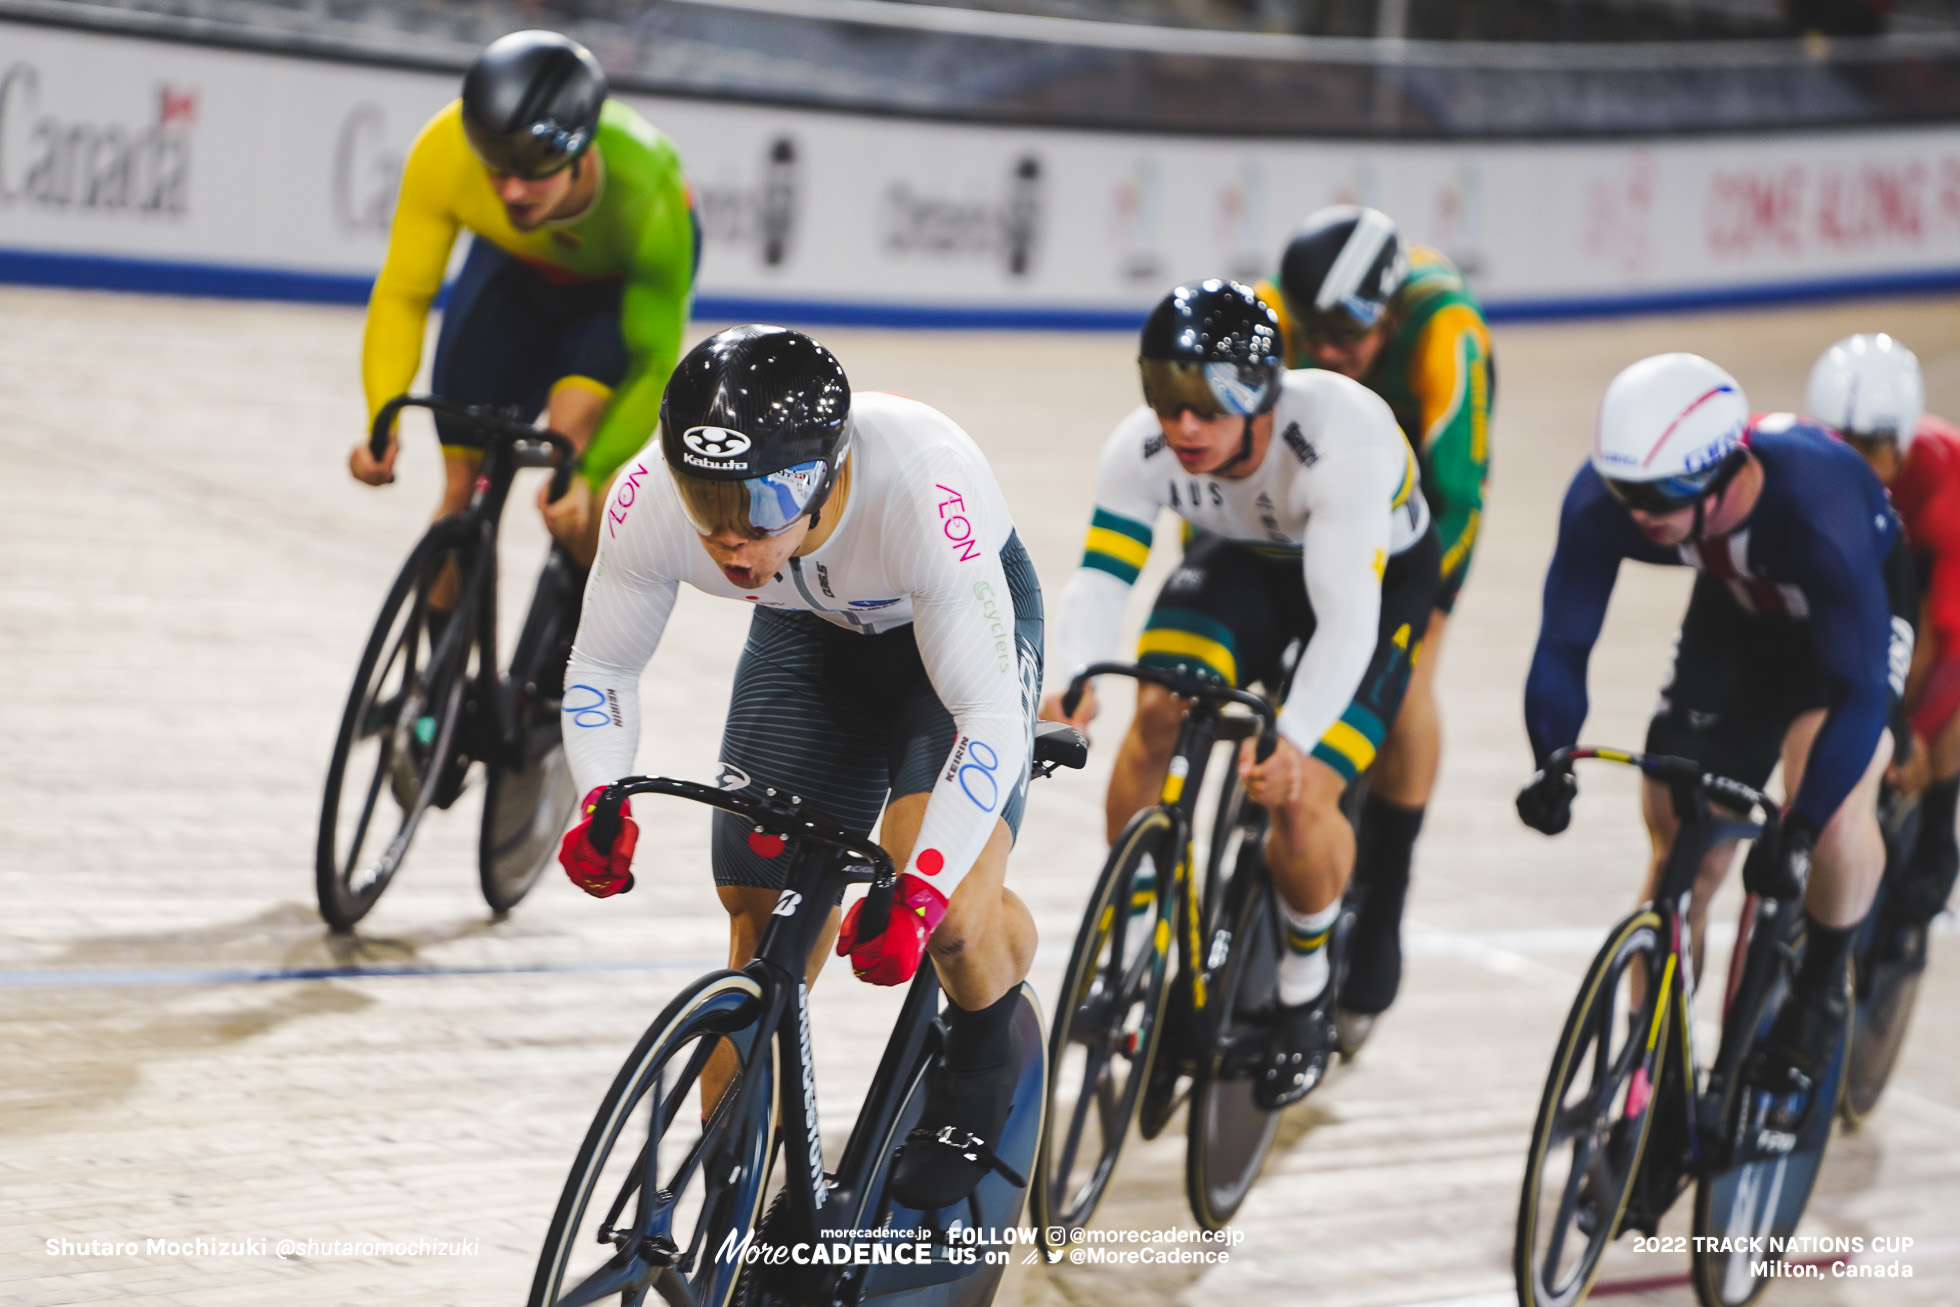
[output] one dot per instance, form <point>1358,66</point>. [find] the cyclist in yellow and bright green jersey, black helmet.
<point>577,287</point>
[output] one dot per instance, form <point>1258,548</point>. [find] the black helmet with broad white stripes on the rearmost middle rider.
<point>1342,271</point>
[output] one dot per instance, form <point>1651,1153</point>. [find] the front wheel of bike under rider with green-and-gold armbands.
<point>1106,1024</point>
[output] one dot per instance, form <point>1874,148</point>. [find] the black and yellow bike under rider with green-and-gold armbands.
<point>1171,985</point>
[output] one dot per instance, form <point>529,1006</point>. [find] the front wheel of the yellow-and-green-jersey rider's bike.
<point>397,732</point>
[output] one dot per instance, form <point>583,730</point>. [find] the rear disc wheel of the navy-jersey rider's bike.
<point>1745,1198</point>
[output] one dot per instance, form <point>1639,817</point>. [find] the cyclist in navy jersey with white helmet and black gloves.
<point>1794,646</point>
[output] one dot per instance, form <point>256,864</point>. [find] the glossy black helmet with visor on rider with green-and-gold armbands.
<point>1214,350</point>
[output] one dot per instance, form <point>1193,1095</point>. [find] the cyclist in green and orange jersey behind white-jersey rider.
<point>1355,299</point>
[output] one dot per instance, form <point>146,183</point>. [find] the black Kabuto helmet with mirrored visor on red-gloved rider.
<point>756,426</point>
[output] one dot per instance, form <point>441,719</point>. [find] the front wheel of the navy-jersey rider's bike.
<point>1594,1118</point>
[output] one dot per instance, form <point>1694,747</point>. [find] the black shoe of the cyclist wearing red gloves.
<point>952,1151</point>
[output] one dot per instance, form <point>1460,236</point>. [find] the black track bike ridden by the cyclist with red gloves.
<point>665,1200</point>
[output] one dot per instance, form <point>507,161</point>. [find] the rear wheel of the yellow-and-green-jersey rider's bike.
<point>530,797</point>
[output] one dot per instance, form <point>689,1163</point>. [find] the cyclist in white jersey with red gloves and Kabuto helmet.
<point>895,650</point>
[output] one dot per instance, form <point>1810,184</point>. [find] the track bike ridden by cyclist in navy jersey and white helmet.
<point>1634,1114</point>
